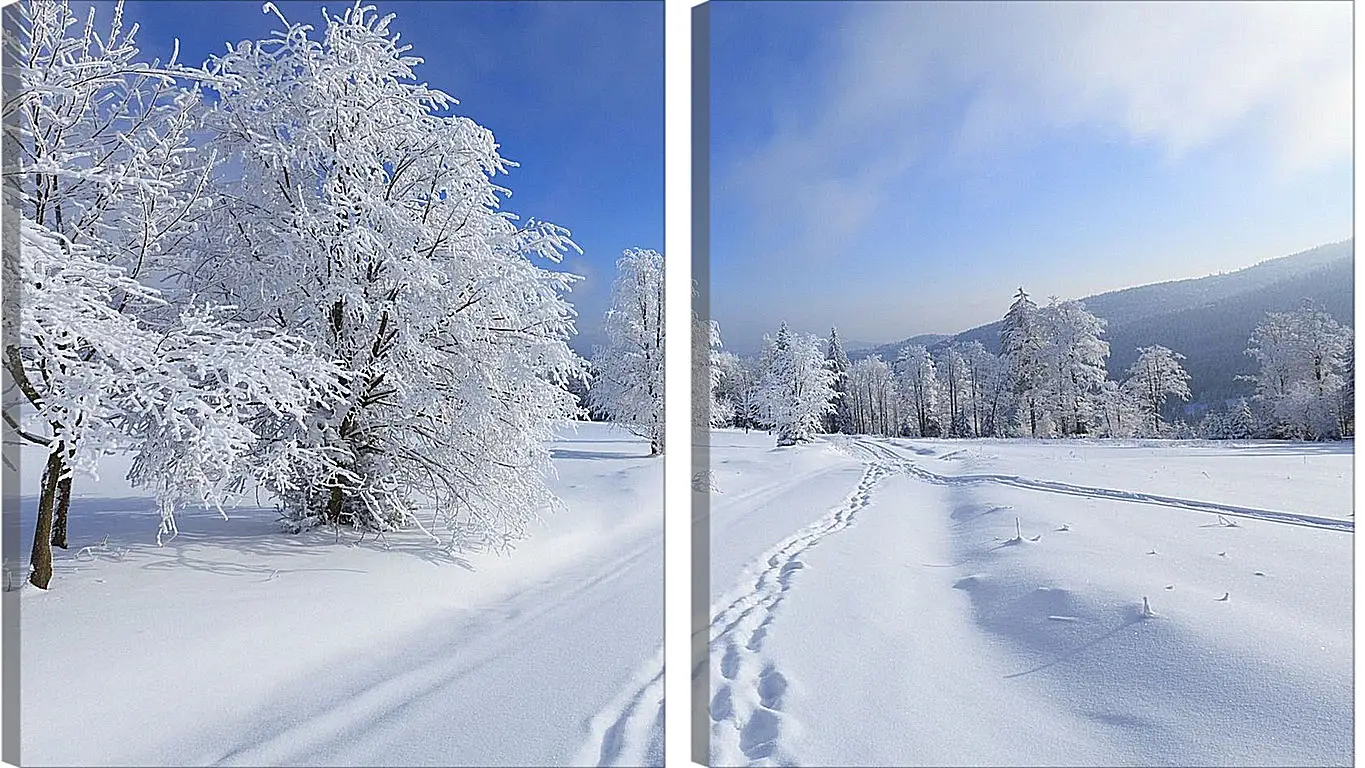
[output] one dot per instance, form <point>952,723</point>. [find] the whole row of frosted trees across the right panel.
<point>1049,381</point>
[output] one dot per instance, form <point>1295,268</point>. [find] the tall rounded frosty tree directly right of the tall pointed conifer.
<point>1075,355</point>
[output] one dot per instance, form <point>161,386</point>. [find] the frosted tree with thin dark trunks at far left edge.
<point>110,188</point>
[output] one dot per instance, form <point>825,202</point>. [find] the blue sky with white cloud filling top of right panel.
<point>902,168</point>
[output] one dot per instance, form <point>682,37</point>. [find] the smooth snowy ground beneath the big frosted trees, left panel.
<point>238,645</point>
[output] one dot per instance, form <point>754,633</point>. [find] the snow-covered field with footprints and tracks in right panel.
<point>876,606</point>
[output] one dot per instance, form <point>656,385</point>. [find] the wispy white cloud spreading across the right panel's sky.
<point>1176,76</point>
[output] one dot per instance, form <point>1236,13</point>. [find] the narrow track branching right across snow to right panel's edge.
<point>887,454</point>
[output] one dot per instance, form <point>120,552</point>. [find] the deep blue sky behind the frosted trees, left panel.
<point>573,92</point>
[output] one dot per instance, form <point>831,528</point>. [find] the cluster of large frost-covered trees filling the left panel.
<point>308,284</point>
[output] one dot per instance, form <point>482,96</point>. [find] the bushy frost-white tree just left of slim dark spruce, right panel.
<point>798,387</point>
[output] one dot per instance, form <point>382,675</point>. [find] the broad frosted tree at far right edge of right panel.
<point>1304,358</point>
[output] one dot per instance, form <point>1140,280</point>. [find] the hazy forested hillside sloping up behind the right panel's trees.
<point>1209,320</point>
